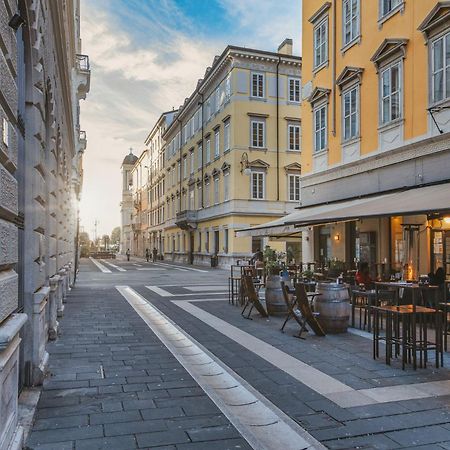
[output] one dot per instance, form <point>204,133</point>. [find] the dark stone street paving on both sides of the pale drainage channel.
<point>113,384</point>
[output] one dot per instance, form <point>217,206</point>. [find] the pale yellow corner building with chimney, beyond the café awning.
<point>232,155</point>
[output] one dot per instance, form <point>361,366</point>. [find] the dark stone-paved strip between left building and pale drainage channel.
<point>113,385</point>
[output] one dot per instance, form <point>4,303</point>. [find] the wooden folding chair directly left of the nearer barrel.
<point>300,310</point>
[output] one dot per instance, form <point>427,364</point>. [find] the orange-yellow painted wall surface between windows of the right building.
<point>415,74</point>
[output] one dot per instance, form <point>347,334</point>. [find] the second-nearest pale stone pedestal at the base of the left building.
<point>39,356</point>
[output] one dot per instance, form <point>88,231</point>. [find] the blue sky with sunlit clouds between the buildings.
<point>146,57</point>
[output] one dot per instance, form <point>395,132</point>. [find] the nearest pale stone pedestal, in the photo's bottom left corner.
<point>10,434</point>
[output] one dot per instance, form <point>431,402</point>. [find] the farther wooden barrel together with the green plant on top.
<point>275,265</point>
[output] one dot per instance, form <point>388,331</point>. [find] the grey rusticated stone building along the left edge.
<point>42,78</point>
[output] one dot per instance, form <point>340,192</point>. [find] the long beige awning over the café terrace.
<point>424,200</point>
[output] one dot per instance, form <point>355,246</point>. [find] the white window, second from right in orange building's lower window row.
<point>391,89</point>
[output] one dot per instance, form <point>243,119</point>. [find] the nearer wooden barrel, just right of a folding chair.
<point>333,306</point>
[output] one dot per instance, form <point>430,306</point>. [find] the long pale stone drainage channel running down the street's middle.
<point>259,421</point>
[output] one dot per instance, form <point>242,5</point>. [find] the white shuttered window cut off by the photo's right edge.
<point>440,68</point>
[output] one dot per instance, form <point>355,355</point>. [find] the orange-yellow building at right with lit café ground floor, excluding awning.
<point>375,119</point>
